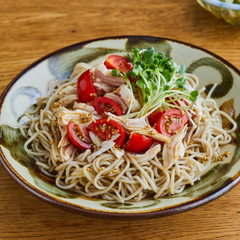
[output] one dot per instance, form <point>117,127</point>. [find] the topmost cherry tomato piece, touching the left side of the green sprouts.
<point>118,62</point>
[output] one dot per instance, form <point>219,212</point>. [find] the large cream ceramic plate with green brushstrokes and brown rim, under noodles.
<point>31,83</point>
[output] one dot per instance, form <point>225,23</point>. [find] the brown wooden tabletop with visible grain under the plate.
<point>31,29</point>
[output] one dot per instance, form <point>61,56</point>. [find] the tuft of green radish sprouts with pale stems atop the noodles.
<point>157,80</point>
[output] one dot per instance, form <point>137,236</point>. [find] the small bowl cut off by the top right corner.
<point>230,12</point>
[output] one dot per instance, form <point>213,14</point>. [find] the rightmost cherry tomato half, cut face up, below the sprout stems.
<point>171,121</point>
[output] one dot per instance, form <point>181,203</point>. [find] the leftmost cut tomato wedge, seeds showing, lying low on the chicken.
<point>79,136</point>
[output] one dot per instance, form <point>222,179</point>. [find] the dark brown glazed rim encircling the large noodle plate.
<point>160,212</point>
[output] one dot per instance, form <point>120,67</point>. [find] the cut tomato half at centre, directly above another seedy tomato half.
<point>104,104</point>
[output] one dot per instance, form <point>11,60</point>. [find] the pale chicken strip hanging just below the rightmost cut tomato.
<point>174,149</point>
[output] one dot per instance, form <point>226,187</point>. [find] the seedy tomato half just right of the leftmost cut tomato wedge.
<point>106,129</point>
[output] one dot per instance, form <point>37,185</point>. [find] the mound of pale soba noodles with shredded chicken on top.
<point>112,172</point>
